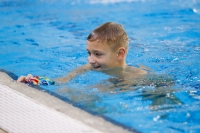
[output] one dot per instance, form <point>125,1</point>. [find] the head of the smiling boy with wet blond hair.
<point>107,46</point>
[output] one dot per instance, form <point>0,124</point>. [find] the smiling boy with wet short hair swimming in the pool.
<point>107,48</point>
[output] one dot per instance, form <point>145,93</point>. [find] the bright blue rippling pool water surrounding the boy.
<point>48,37</point>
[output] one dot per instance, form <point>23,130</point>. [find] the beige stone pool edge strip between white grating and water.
<point>60,106</point>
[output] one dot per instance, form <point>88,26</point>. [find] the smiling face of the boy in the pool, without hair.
<point>100,56</point>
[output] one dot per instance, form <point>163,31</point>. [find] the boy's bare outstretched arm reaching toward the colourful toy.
<point>74,73</point>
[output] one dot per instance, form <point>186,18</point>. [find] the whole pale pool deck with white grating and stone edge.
<point>26,109</point>
